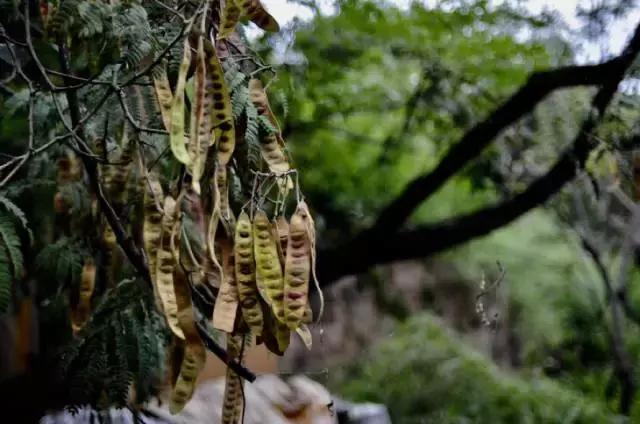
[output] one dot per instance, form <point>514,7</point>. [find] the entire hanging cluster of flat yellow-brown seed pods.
<point>218,243</point>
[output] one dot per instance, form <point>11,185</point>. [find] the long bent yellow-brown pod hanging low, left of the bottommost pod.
<point>194,354</point>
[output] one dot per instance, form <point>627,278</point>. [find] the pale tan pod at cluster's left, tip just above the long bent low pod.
<point>165,266</point>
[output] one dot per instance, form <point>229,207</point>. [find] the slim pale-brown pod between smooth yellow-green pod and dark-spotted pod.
<point>201,129</point>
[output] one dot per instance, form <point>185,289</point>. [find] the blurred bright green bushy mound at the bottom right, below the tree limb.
<point>426,374</point>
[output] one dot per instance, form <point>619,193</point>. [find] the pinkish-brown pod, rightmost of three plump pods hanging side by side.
<point>297,269</point>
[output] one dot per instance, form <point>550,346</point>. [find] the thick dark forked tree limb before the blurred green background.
<point>382,244</point>
